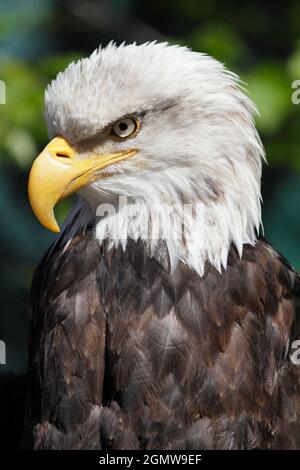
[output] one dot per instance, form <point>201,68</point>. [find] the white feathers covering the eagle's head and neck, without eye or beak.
<point>197,145</point>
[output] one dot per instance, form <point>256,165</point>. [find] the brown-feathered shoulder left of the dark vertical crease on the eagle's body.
<point>67,347</point>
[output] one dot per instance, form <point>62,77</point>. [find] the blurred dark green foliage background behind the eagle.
<point>256,39</point>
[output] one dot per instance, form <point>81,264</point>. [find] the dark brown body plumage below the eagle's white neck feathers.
<point>126,354</point>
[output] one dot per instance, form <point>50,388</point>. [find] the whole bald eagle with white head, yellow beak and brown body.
<point>160,318</point>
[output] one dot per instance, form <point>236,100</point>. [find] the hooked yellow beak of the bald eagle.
<point>58,171</point>
